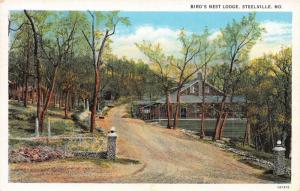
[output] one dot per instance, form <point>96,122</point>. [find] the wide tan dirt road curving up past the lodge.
<point>169,156</point>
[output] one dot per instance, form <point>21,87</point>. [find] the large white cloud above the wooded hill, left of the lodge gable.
<point>124,45</point>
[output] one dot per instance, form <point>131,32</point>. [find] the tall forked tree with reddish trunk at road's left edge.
<point>110,20</point>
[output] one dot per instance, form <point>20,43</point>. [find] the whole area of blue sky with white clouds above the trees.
<point>163,27</point>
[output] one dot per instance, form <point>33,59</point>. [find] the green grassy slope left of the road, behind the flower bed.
<point>22,125</point>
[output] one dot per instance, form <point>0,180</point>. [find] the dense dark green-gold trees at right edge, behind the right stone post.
<point>266,84</point>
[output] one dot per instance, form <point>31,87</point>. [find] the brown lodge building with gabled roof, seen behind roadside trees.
<point>191,102</point>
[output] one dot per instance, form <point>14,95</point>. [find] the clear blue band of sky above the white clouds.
<point>196,21</point>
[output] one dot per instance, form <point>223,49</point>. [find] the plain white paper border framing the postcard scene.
<point>143,5</point>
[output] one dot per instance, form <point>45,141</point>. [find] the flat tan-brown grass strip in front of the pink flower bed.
<point>77,170</point>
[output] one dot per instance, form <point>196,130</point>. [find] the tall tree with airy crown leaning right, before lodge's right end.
<point>237,39</point>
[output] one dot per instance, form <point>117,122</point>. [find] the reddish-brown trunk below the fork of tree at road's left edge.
<point>95,99</point>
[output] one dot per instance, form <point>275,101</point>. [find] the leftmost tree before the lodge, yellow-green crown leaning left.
<point>162,67</point>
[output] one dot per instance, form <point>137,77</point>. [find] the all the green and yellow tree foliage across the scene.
<point>265,82</point>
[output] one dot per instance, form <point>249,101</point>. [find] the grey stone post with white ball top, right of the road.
<point>279,162</point>
